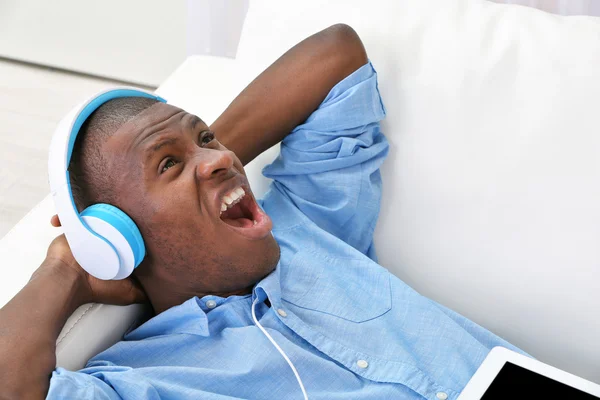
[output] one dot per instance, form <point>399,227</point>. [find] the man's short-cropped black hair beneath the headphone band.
<point>89,170</point>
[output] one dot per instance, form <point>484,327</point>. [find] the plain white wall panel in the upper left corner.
<point>140,41</point>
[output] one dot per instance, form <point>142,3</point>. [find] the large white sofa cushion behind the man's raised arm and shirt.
<point>491,199</point>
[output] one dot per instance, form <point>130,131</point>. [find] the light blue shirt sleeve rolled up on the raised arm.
<point>329,165</point>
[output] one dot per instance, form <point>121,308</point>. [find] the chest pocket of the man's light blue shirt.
<point>349,288</point>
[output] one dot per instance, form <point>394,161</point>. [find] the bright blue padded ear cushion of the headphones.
<point>125,225</point>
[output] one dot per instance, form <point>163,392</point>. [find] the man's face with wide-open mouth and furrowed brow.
<point>172,176</point>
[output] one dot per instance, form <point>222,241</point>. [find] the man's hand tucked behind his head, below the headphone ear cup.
<point>121,292</point>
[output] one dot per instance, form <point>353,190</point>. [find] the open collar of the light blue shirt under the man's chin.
<point>190,317</point>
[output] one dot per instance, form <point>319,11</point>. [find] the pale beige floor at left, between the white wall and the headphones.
<point>32,101</point>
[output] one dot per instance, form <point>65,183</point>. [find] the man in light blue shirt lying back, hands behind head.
<point>254,304</point>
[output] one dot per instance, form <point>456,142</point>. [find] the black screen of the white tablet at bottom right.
<point>513,380</point>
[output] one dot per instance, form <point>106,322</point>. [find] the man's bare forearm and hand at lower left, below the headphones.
<point>31,322</point>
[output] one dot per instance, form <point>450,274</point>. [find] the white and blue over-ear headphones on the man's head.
<point>103,239</point>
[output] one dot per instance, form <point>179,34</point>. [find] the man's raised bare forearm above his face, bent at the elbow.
<point>287,92</point>
